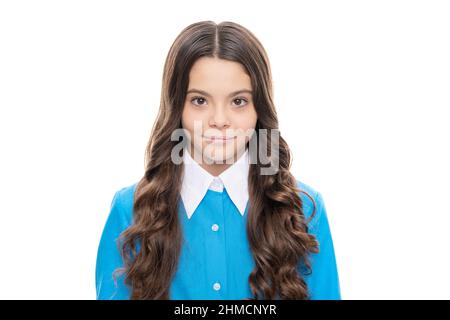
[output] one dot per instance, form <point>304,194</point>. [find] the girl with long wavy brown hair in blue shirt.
<point>208,220</point>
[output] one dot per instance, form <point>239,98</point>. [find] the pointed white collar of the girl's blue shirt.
<point>197,181</point>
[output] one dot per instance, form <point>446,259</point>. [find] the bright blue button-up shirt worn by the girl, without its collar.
<point>215,259</point>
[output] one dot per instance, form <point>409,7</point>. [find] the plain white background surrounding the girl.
<point>362,89</point>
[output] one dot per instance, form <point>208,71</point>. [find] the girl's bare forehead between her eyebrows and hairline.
<point>218,75</point>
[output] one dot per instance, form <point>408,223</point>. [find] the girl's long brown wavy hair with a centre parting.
<point>276,228</point>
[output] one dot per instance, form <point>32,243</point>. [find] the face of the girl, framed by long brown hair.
<point>218,111</point>
